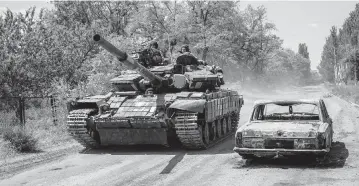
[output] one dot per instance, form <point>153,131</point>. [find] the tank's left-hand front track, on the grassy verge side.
<point>77,127</point>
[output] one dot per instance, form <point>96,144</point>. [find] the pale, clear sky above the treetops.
<point>296,21</point>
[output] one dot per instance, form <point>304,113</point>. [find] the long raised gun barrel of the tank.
<point>127,60</point>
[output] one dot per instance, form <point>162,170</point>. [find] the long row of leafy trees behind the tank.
<point>52,50</point>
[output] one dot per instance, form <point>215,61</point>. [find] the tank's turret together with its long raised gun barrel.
<point>185,74</point>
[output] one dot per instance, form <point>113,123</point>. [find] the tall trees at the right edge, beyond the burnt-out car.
<point>340,56</point>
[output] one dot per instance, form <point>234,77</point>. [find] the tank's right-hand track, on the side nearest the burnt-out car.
<point>187,130</point>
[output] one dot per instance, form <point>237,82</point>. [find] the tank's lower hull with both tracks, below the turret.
<point>197,120</point>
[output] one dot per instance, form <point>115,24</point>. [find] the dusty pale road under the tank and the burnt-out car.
<point>216,166</point>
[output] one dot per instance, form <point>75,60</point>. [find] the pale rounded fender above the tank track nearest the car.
<point>189,105</point>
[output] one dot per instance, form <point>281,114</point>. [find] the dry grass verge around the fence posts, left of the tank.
<point>39,132</point>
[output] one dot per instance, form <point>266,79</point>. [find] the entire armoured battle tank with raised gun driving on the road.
<point>180,102</point>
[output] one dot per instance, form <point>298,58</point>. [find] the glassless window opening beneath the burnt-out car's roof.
<point>294,111</point>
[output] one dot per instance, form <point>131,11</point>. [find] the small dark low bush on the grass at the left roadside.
<point>20,139</point>
